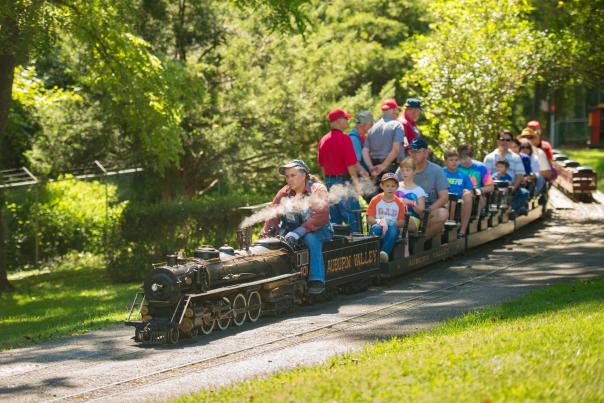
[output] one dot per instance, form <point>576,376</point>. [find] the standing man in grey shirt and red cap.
<point>384,141</point>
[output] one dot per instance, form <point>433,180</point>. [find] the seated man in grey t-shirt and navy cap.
<point>432,179</point>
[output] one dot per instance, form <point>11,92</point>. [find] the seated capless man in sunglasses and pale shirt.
<point>516,169</point>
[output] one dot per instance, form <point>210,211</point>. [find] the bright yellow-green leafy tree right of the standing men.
<point>470,67</point>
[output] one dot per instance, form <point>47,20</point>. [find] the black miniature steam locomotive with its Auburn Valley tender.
<point>217,288</point>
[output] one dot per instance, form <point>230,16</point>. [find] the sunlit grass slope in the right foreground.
<point>546,346</point>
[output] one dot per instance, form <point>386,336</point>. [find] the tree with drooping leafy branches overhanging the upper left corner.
<point>139,96</point>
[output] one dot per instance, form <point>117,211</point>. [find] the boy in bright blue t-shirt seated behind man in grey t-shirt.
<point>461,185</point>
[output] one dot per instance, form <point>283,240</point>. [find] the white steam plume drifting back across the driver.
<point>314,201</point>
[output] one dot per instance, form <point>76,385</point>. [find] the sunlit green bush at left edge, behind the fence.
<point>58,217</point>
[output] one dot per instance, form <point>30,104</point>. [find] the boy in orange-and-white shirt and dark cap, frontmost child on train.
<point>386,214</point>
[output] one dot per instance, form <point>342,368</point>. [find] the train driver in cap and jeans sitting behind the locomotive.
<point>305,216</point>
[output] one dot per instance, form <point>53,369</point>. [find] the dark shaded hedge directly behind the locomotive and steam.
<point>147,232</point>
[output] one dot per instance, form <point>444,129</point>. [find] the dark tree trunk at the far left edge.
<point>7,74</point>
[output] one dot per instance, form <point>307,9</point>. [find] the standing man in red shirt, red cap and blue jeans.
<point>340,165</point>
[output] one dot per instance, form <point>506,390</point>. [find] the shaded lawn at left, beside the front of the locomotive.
<point>70,296</point>
